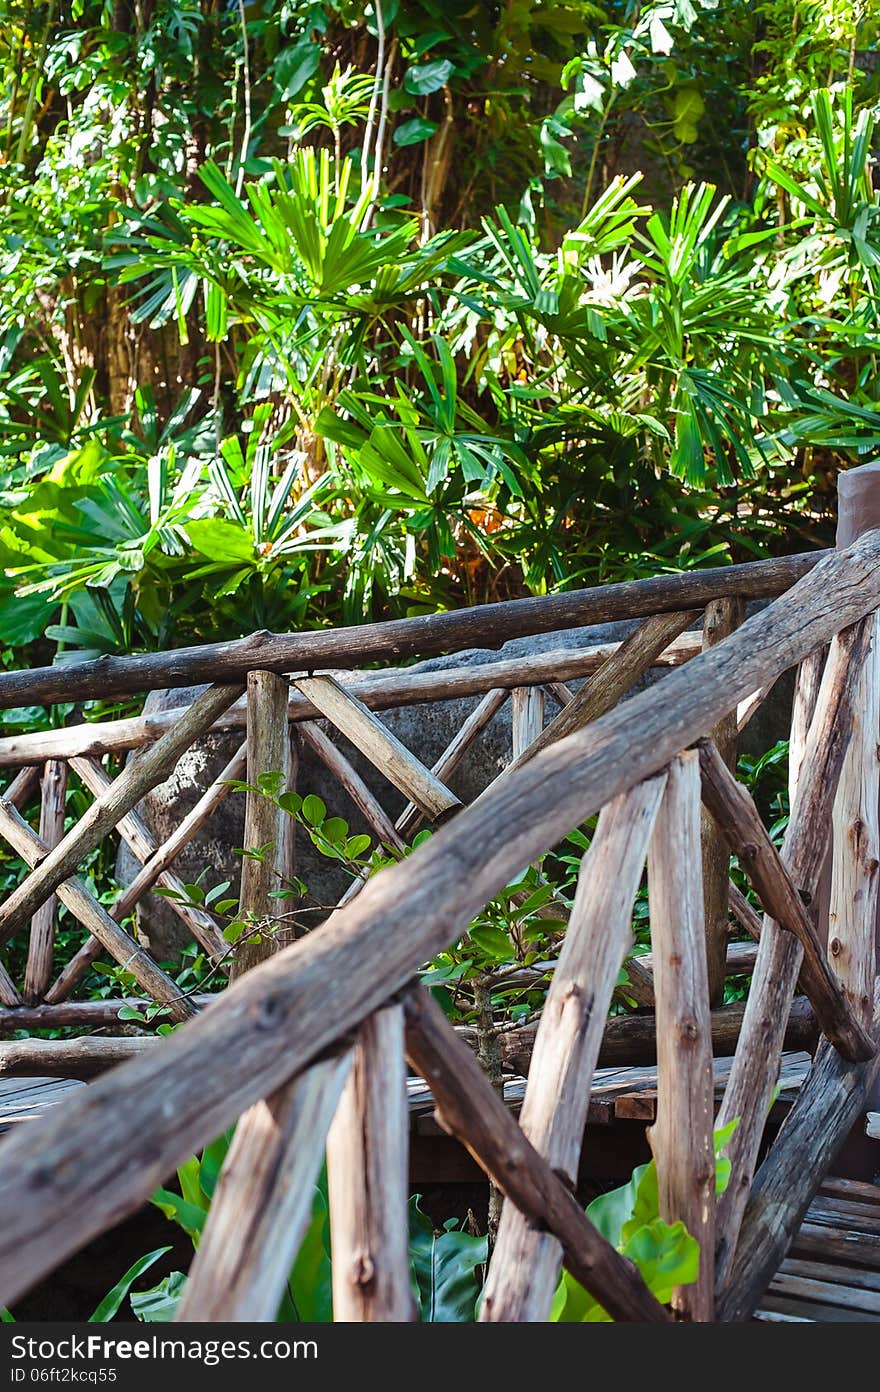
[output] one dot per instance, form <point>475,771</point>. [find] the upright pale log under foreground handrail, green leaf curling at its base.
<point>682,1139</point>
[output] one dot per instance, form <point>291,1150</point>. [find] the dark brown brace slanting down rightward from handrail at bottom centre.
<point>469,1109</point>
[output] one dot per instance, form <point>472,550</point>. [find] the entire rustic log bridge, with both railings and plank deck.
<point>308,1047</point>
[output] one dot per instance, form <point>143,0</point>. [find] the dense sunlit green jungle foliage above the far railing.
<point>317,313</point>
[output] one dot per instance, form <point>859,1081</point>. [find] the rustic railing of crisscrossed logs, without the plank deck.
<point>276,1046</point>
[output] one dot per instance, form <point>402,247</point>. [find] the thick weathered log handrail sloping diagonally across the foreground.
<point>204,1077</point>
